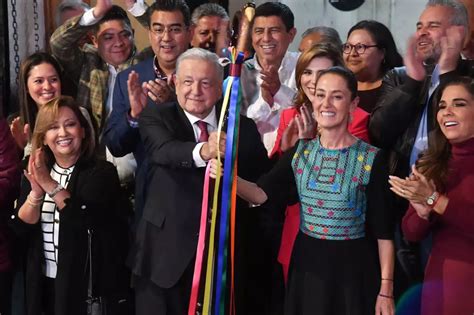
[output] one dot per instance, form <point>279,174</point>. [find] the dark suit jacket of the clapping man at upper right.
<point>395,120</point>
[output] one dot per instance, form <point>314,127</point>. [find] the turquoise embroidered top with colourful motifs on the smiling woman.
<point>331,186</point>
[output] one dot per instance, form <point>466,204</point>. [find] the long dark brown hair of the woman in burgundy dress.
<point>434,161</point>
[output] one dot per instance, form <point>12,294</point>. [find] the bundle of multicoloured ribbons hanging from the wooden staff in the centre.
<point>226,213</point>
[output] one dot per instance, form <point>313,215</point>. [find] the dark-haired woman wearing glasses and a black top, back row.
<point>370,52</point>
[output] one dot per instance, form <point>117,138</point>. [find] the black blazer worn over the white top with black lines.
<point>94,204</point>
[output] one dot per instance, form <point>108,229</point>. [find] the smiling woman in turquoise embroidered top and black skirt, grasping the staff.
<point>342,261</point>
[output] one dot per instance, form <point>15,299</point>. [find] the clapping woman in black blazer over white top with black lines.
<point>67,193</point>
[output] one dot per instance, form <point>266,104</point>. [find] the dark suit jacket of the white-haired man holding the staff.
<point>168,232</point>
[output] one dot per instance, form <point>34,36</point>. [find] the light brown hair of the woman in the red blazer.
<point>320,50</point>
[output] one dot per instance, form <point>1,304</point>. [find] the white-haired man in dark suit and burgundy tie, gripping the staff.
<point>179,139</point>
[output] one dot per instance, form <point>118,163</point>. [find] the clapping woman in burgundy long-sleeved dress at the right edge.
<point>441,202</point>
